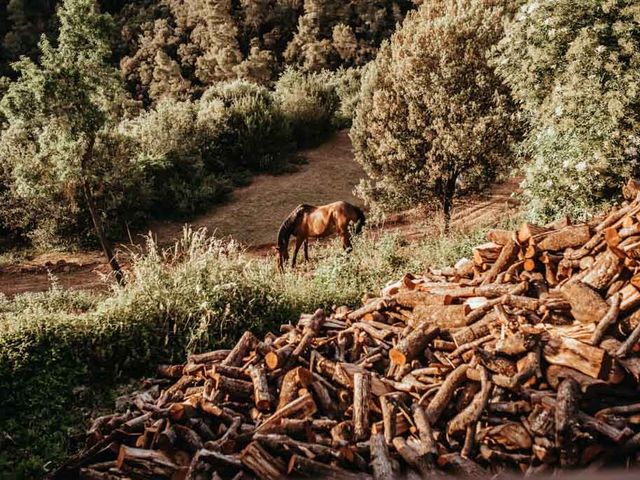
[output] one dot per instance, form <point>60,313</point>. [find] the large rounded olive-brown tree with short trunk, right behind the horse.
<point>433,113</point>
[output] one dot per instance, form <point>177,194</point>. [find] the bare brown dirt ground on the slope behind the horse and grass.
<point>253,215</point>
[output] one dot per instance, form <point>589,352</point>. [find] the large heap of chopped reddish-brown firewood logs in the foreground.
<point>523,358</point>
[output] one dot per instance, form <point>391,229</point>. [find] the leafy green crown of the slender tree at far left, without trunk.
<point>58,142</point>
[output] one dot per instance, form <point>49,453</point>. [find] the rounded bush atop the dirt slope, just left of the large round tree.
<point>309,103</point>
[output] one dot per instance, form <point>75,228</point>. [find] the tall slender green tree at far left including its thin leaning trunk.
<point>57,110</point>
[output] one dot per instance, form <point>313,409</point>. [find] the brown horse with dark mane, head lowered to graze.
<point>307,221</point>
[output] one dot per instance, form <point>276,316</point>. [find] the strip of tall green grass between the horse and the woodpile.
<point>62,353</point>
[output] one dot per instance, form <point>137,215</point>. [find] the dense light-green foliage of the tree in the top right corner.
<point>574,67</point>
